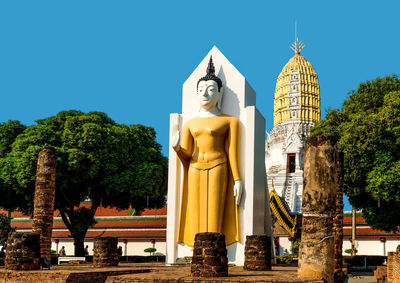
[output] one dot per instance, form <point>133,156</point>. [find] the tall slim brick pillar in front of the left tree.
<point>45,189</point>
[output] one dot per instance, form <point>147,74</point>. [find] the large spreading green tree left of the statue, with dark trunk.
<point>99,160</point>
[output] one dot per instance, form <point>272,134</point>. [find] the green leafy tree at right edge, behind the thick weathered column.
<point>368,132</point>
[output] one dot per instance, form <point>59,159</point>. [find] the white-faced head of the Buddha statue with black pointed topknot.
<point>209,89</point>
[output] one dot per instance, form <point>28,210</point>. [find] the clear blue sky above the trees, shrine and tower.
<point>130,58</point>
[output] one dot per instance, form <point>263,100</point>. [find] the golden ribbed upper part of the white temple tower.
<point>297,90</point>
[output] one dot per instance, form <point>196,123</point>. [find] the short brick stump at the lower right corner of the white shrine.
<point>257,253</point>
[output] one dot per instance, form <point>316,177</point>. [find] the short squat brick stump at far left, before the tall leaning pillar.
<point>23,251</point>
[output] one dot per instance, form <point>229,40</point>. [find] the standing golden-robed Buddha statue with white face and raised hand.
<point>208,150</point>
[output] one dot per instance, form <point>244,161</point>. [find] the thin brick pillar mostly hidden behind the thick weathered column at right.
<point>338,221</point>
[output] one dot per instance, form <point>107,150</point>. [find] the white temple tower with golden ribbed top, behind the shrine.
<point>296,110</point>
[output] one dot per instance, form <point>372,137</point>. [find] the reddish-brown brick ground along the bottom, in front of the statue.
<point>145,272</point>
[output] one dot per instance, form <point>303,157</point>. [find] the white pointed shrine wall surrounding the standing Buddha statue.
<point>239,100</point>
